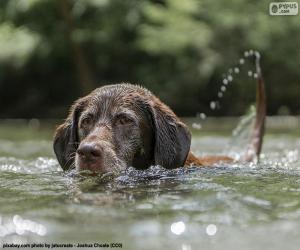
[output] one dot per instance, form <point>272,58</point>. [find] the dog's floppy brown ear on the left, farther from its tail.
<point>66,138</point>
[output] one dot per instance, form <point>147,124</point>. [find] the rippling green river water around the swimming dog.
<point>239,206</point>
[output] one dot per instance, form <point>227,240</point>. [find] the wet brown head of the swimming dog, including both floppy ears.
<point>121,125</point>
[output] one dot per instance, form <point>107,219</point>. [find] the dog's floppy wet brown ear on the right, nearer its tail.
<point>172,138</point>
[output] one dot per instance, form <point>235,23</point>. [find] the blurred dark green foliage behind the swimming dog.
<point>52,52</point>
